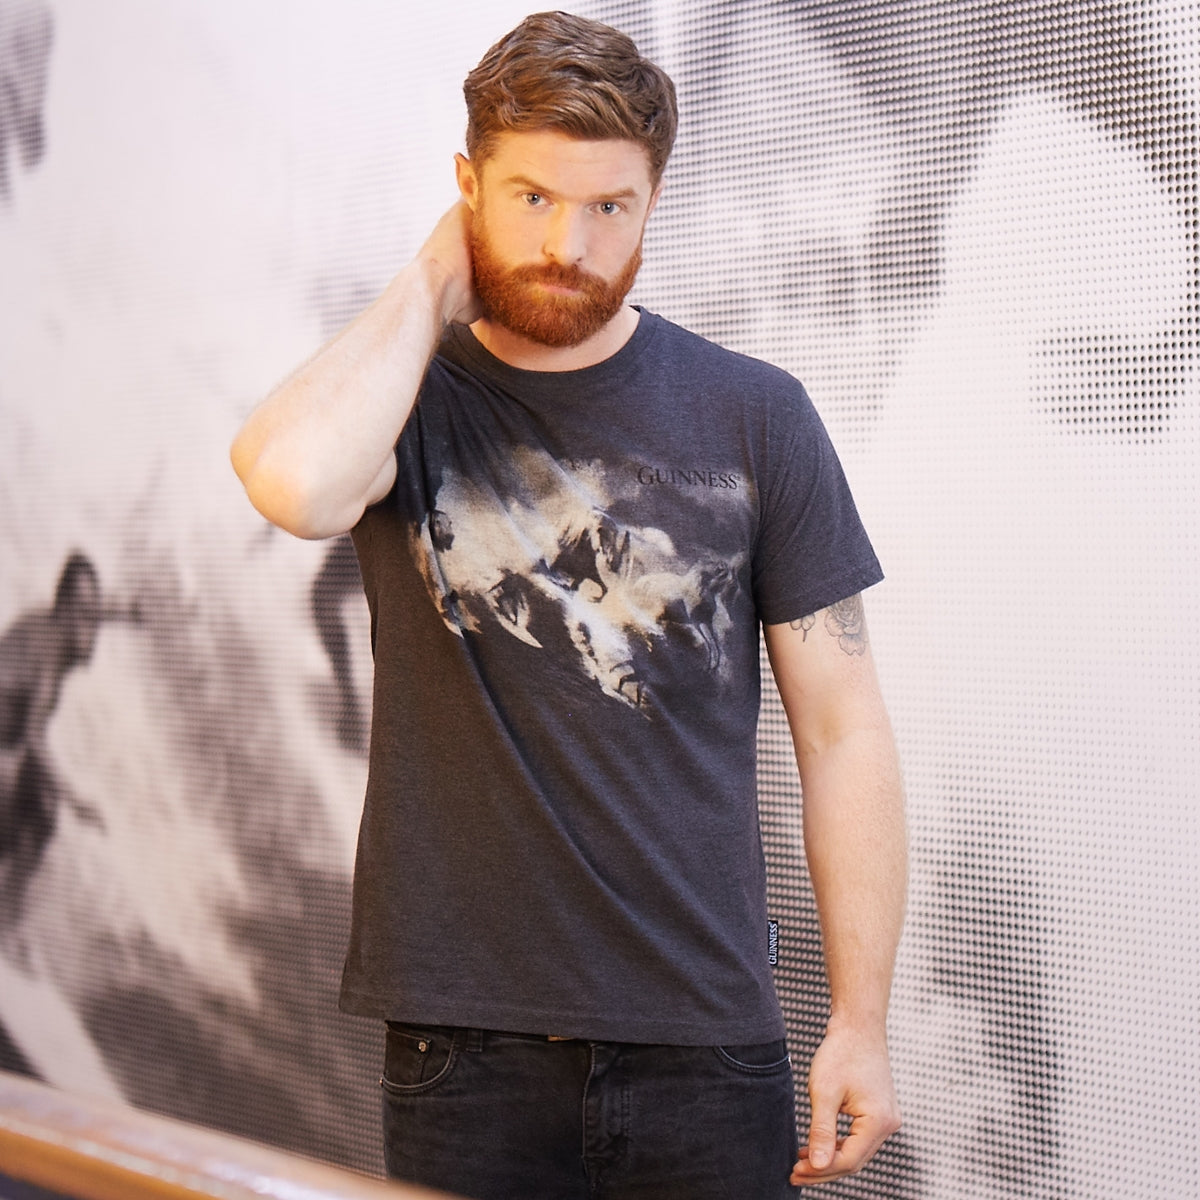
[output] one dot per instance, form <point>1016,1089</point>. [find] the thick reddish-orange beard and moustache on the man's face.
<point>511,296</point>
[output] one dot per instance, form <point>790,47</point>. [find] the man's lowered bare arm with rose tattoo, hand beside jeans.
<point>856,847</point>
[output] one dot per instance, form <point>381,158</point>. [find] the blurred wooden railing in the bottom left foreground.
<point>95,1150</point>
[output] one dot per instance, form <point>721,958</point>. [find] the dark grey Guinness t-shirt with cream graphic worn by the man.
<point>566,586</point>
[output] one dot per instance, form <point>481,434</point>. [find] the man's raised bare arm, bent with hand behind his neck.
<point>320,449</point>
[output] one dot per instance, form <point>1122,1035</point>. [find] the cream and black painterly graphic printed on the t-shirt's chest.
<point>533,549</point>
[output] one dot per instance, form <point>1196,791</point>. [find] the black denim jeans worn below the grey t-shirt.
<point>507,1117</point>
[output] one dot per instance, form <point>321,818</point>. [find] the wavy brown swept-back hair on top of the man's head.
<point>556,71</point>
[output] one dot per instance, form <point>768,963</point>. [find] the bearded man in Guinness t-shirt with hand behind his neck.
<point>573,518</point>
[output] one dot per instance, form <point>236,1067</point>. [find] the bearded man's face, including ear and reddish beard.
<point>557,232</point>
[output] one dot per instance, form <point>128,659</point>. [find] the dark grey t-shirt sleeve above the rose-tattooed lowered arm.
<point>812,549</point>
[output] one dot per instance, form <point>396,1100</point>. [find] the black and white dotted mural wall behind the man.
<point>971,227</point>
